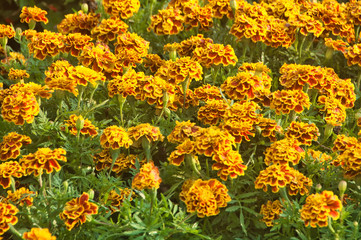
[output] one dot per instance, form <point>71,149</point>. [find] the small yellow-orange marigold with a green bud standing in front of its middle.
<point>87,128</point>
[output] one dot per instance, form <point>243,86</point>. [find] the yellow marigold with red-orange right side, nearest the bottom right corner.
<point>319,207</point>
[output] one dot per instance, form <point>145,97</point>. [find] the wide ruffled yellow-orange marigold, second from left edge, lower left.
<point>43,159</point>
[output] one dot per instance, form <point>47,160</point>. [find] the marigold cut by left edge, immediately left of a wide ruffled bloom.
<point>8,170</point>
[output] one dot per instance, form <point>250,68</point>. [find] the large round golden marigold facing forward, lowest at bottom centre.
<point>205,197</point>
